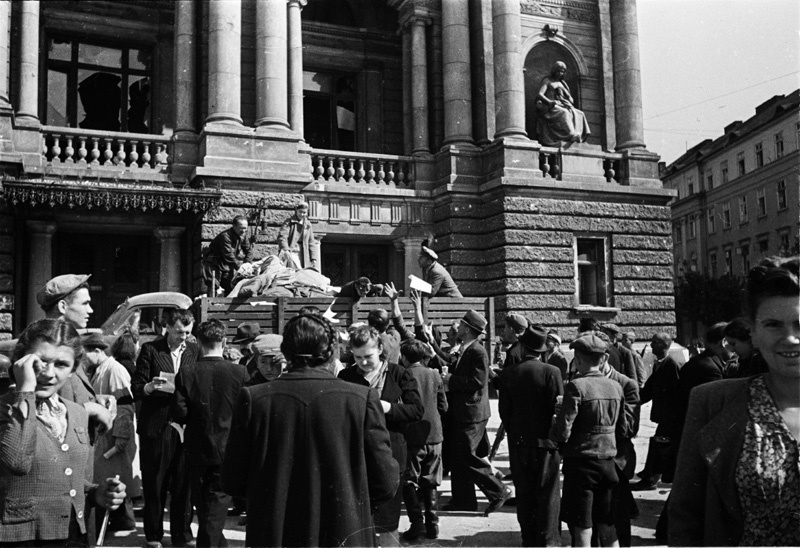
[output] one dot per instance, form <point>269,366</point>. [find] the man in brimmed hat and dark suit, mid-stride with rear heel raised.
<point>468,414</point>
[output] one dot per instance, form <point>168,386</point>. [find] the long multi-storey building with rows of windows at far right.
<point>737,195</point>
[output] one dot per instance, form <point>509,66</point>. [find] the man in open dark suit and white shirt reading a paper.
<point>161,453</point>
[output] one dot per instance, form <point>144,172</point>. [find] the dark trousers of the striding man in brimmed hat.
<point>467,468</point>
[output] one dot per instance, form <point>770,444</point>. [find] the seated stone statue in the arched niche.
<point>558,120</point>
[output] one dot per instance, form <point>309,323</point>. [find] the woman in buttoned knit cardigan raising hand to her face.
<point>45,445</point>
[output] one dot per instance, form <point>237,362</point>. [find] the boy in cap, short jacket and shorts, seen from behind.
<point>586,425</point>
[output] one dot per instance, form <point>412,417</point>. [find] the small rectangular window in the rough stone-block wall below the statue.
<point>591,271</point>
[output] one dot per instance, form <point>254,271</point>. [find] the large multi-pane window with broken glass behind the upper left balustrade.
<point>98,86</point>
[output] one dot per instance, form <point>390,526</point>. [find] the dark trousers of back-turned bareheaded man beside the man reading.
<point>211,503</point>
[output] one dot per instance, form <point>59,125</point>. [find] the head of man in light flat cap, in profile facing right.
<point>67,298</point>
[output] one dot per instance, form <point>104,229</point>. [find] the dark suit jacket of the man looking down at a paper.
<point>153,414</point>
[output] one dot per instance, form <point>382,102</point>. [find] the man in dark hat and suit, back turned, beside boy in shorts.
<point>528,393</point>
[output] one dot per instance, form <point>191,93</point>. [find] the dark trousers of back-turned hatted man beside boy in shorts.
<point>537,488</point>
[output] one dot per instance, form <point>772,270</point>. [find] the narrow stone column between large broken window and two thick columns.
<point>185,69</point>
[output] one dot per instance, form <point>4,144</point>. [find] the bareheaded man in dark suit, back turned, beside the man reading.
<point>205,393</point>
